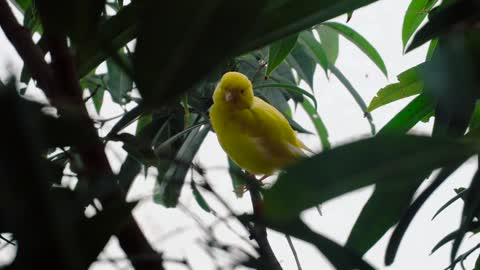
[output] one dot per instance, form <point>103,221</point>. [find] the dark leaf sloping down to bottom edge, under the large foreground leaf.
<point>340,257</point>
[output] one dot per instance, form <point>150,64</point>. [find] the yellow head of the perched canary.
<point>234,90</point>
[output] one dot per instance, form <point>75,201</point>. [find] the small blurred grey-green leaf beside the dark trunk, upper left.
<point>118,82</point>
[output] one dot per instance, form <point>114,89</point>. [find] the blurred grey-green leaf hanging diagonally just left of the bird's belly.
<point>172,183</point>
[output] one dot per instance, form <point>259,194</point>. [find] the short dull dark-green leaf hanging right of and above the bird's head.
<point>302,63</point>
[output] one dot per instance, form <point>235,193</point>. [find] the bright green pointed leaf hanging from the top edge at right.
<point>415,15</point>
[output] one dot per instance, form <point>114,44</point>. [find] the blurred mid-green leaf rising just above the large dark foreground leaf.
<point>409,116</point>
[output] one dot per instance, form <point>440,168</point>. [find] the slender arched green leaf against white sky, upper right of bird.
<point>360,42</point>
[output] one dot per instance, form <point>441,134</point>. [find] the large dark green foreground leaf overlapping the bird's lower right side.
<point>346,168</point>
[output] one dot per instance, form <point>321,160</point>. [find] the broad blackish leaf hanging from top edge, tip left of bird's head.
<point>166,67</point>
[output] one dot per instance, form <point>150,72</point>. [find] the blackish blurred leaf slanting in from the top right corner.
<point>446,20</point>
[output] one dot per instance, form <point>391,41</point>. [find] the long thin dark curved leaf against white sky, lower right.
<point>408,216</point>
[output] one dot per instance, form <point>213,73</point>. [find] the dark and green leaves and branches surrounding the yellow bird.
<point>162,69</point>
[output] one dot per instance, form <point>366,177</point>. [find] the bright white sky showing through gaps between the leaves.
<point>381,24</point>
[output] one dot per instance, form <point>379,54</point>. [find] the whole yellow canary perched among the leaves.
<point>253,133</point>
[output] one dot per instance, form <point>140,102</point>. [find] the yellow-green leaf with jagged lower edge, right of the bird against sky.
<point>410,82</point>
